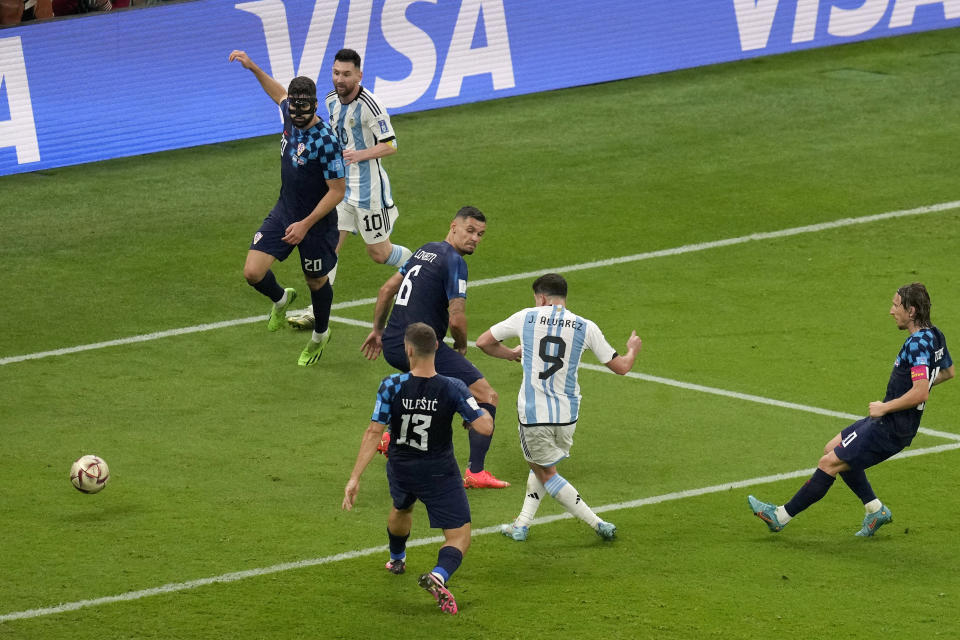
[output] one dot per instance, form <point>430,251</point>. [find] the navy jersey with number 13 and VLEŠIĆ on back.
<point>419,412</point>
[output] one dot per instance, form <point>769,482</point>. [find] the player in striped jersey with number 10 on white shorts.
<point>363,127</point>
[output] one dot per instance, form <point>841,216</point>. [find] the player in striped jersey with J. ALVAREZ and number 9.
<point>552,342</point>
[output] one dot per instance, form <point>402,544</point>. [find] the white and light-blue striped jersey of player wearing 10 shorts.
<point>359,125</point>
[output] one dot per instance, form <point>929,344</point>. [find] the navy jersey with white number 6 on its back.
<point>433,276</point>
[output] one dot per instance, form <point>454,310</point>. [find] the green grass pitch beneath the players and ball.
<point>226,457</point>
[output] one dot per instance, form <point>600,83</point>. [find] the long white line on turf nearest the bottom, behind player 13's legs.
<point>175,587</point>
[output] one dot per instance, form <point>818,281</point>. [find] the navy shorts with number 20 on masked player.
<point>318,254</point>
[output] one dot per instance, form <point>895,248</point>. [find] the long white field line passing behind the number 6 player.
<point>689,248</point>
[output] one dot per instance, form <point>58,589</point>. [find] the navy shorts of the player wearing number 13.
<point>436,482</point>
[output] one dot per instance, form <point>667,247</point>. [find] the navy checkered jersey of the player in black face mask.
<point>308,158</point>
